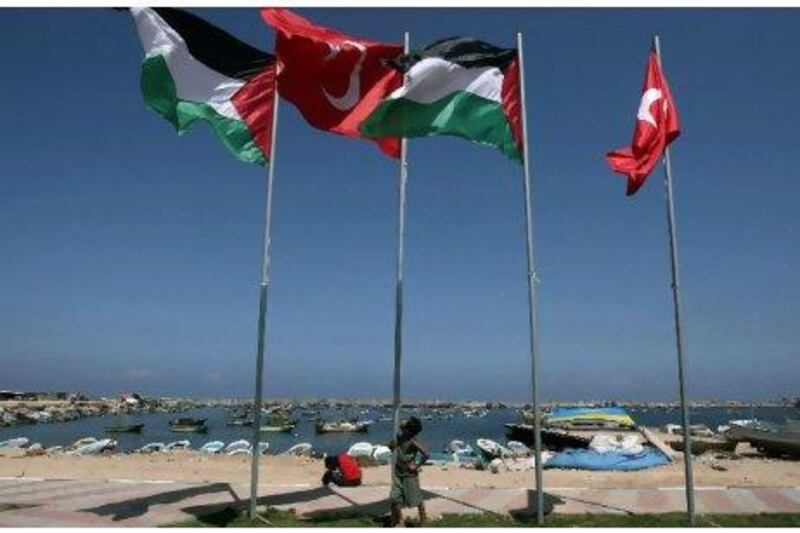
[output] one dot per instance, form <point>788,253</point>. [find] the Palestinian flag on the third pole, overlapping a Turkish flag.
<point>457,86</point>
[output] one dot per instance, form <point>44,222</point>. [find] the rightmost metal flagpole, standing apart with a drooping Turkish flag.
<point>676,298</point>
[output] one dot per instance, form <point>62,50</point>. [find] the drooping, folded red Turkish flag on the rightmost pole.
<point>656,126</point>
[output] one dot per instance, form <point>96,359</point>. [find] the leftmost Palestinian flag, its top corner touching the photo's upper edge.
<point>193,70</point>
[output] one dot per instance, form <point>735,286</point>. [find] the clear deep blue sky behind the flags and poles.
<point>129,256</point>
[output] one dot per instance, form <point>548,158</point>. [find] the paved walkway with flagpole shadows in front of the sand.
<point>27,502</point>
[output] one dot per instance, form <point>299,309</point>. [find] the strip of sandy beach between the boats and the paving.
<point>286,470</point>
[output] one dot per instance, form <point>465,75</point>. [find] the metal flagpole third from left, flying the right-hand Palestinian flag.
<point>532,282</point>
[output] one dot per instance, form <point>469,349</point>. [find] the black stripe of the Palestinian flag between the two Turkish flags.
<point>464,51</point>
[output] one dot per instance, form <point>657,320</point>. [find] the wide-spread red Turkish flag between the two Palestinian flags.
<point>333,79</point>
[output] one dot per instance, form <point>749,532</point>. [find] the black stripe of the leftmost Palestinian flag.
<point>214,47</point>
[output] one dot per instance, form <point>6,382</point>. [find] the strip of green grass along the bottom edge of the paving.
<point>232,518</point>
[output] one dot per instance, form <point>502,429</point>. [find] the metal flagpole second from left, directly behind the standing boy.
<point>398,295</point>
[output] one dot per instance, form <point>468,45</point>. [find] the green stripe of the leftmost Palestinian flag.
<point>158,89</point>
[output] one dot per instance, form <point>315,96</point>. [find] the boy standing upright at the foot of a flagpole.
<point>411,455</point>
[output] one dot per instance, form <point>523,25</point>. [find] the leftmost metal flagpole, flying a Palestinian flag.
<point>263,295</point>
